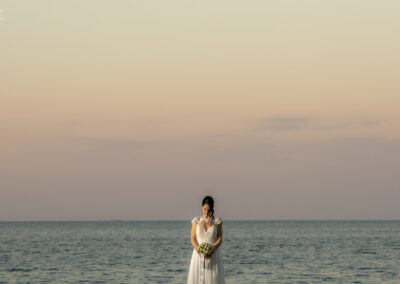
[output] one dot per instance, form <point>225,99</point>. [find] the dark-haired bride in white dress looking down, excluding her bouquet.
<point>206,229</point>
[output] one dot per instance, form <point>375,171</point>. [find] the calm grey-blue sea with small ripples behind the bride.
<point>159,252</point>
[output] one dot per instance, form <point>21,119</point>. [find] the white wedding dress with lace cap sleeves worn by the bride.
<point>214,269</point>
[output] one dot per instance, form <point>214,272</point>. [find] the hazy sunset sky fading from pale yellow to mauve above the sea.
<point>135,110</point>
